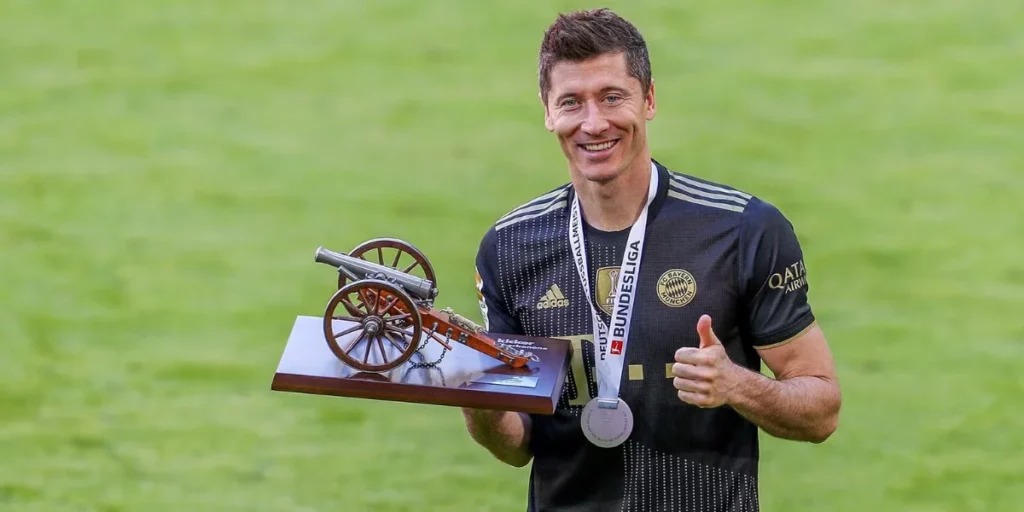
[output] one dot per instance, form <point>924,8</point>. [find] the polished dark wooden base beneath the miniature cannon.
<point>464,377</point>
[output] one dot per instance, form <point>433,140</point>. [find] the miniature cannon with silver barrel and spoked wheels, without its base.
<point>389,309</point>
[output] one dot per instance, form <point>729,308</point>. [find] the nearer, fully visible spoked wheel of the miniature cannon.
<point>372,326</point>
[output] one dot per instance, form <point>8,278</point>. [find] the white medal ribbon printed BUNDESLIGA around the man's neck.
<point>612,340</point>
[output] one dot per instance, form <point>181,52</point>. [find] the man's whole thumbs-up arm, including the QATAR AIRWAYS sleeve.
<point>802,403</point>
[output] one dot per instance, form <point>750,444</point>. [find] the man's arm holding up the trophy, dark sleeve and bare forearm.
<point>504,434</point>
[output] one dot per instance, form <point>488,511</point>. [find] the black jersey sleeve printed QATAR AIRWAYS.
<point>774,277</point>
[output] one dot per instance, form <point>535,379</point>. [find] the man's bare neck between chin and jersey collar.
<point>615,205</point>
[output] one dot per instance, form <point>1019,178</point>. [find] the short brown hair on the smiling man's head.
<point>585,34</point>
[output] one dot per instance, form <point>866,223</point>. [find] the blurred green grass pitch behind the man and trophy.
<point>167,169</point>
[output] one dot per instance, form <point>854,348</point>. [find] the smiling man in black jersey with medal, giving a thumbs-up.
<point>673,291</point>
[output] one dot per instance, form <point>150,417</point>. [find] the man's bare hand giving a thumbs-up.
<point>705,376</point>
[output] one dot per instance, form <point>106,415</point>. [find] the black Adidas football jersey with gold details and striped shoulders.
<point>709,249</point>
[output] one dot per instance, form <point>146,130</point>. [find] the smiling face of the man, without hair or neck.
<point>600,114</point>
